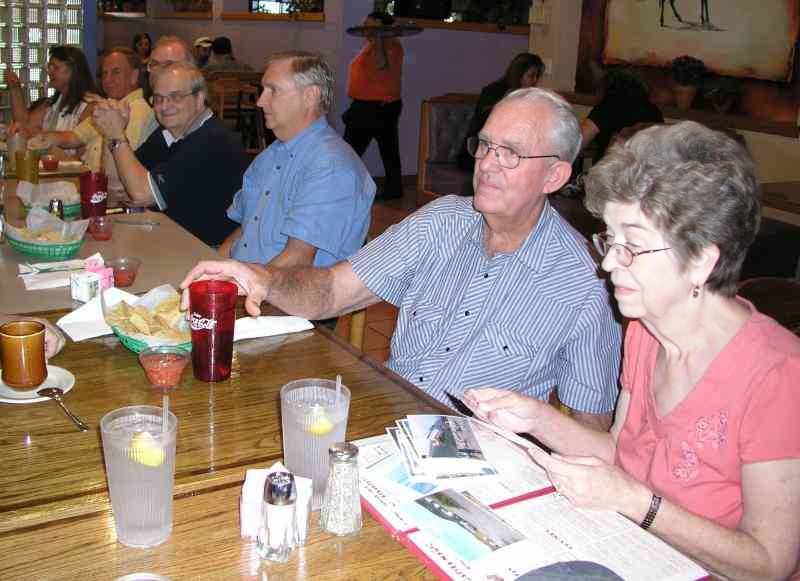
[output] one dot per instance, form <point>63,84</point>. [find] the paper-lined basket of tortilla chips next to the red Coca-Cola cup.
<point>149,321</point>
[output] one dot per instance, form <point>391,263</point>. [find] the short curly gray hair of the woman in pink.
<point>696,185</point>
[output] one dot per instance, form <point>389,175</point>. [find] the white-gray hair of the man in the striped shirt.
<point>564,133</point>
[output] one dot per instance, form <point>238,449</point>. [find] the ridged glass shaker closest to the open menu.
<point>341,505</point>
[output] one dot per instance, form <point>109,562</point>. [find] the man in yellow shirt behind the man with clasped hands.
<point>120,69</point>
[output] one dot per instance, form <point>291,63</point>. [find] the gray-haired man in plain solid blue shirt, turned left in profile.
<point>306,199</point>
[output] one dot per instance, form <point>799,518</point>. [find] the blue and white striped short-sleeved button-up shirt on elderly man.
<point>529,321</point>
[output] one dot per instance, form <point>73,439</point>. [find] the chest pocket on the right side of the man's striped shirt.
<point>504,358</point>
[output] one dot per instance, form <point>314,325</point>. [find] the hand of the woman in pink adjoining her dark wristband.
<point>590,482</point>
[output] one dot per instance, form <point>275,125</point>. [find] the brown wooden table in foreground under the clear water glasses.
<point>55,518</point>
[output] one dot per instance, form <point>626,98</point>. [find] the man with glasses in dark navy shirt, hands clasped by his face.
<point>192,167</point>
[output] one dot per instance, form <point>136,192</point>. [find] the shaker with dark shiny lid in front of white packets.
<point>276,534</point>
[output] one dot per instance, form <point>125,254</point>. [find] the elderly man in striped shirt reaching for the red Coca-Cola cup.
<point>496,290</point>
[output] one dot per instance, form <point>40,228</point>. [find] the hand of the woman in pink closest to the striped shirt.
<point>507,409</point>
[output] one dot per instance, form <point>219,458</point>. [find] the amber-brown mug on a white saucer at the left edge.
<point>22,344</point>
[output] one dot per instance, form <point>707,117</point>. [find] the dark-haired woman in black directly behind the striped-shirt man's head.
<point>524,70</point>
